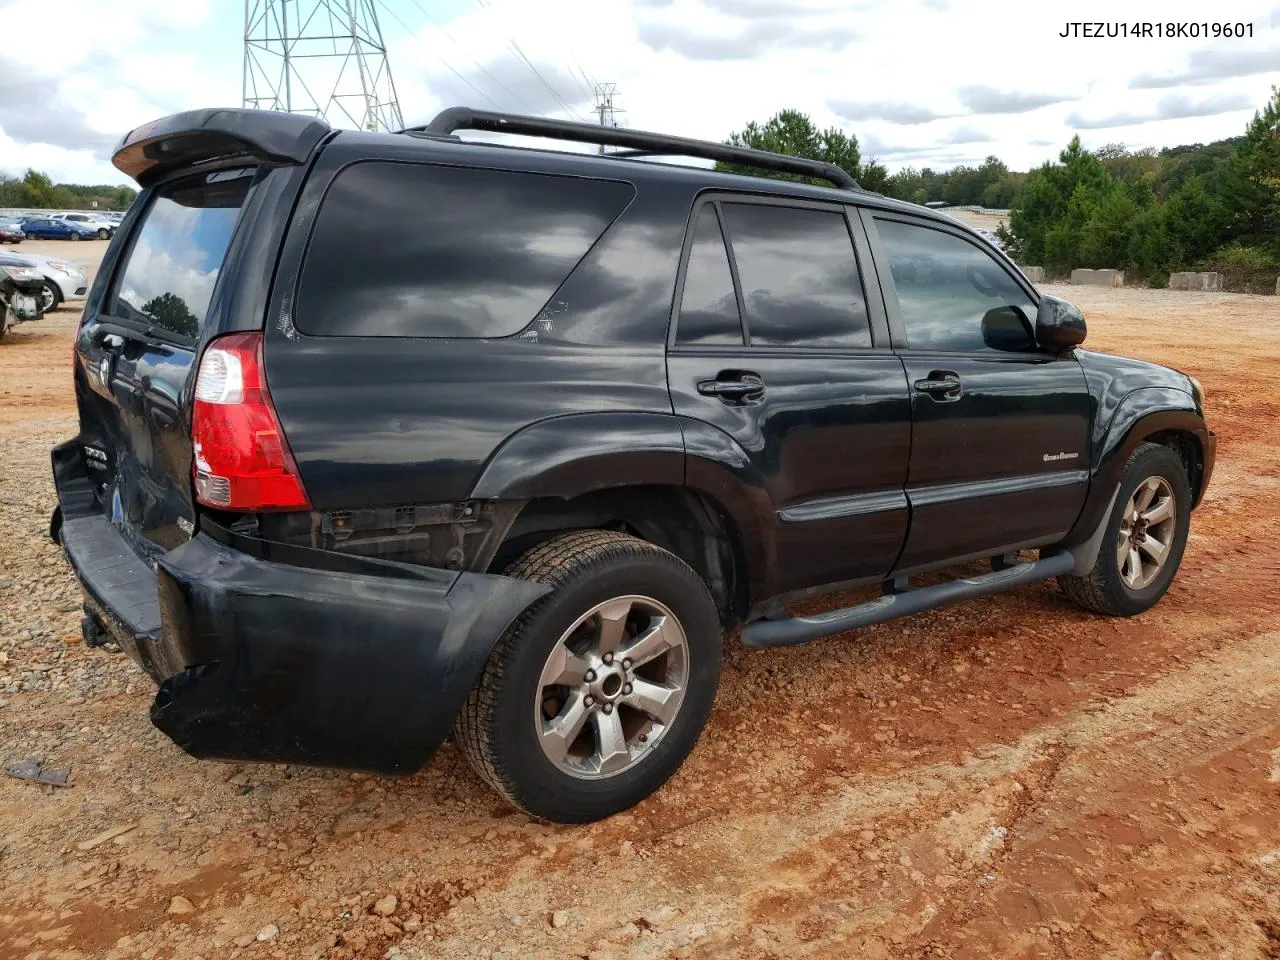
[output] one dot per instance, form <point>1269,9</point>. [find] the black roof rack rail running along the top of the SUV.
<point>641,143</point>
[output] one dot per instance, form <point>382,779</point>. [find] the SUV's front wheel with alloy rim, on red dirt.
<point>1112,587</point>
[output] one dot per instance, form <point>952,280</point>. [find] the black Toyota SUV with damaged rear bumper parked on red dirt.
<point>391,436</point>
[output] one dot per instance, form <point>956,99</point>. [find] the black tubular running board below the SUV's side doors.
<point>799,630</point>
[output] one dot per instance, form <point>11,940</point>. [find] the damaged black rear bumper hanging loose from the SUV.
<point>363,665</point>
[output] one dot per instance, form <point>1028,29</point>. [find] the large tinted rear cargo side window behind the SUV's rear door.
<point>406,250</point>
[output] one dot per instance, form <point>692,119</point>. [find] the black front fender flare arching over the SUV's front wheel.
<point>1140,415</point>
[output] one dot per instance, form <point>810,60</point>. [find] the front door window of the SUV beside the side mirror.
<point>954,295</point>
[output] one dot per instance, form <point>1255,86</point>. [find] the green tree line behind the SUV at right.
<point>1212,207</point>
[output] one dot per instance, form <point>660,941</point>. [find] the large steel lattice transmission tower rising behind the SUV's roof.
<point>321,58</point>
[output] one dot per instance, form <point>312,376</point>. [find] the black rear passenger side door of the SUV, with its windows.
<point>778,345</point>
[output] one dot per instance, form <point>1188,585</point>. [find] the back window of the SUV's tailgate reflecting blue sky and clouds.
<point>179,250</point>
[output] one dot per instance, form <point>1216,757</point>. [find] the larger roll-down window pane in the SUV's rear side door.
<point>799,277</point>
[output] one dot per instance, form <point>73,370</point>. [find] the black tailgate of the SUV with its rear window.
<point>136,349</point>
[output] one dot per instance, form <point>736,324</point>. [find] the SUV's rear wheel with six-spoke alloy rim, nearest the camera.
<point>509,715</point>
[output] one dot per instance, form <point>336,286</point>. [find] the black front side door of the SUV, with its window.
<point>1000,451</point>
